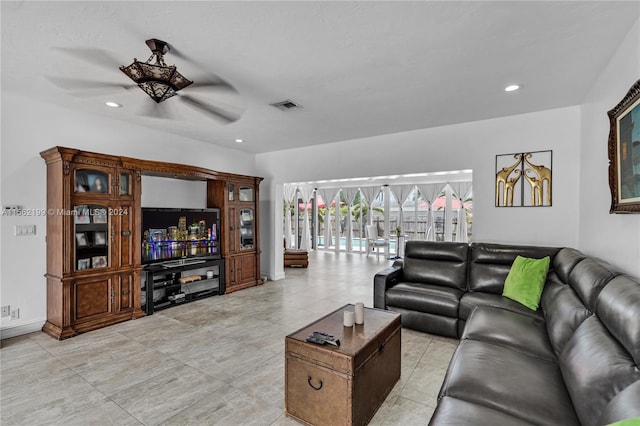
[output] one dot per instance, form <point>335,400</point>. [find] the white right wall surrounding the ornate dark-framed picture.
<point>614,237</point>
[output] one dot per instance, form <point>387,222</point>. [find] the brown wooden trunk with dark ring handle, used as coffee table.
<point>327,385</point>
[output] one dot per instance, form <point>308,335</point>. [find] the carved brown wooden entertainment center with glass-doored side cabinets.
<point>94,234</point>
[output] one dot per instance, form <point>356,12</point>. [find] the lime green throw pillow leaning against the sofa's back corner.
<point>525,281</point>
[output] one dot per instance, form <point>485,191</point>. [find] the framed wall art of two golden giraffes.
<point>523,179</point>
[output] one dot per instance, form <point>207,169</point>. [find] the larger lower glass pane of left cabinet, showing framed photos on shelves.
<point>91,236</point>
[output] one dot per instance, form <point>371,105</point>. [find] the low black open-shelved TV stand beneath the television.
<point>171,283</point>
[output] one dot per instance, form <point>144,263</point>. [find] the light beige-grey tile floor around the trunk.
<point>217,361</point>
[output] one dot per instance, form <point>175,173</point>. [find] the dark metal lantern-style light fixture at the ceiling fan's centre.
<point>157,79</point>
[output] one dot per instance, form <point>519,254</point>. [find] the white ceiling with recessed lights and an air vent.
<point>358,68</point>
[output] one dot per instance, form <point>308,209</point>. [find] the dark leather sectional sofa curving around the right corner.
<point>573,361</point>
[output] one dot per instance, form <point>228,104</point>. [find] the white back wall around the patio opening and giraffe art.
<point>465,146</point>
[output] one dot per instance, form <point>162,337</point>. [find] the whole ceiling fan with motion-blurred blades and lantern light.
<point>157,79</point>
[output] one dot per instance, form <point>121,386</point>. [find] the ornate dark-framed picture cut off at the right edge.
<point>624,153</point>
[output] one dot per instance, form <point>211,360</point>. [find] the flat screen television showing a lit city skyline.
<point>173,234</point>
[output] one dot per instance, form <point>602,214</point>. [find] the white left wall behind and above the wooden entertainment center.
<point>29,127</point>
